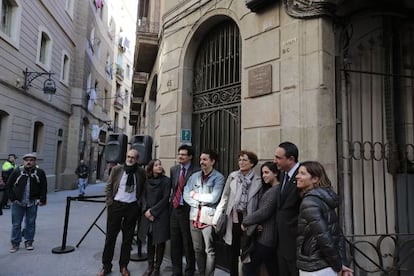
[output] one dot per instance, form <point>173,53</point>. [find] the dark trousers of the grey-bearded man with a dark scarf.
<point>121,216</point>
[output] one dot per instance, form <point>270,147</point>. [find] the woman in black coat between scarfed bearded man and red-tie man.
<point>154,226</point>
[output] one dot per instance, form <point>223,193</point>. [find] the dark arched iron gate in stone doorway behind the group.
<point>217,93</point>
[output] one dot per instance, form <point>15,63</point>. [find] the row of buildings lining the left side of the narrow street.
<point>88,48</point>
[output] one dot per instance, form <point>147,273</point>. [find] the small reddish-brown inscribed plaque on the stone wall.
<point>260,81</point>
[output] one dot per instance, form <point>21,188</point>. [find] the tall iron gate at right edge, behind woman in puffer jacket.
<point>376,143</point>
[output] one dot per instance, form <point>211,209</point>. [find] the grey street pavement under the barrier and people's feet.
<point>85,260</point>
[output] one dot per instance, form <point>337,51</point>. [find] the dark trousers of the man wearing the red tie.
<point>181,242</point>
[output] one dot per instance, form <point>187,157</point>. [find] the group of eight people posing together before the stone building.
<point>283,219</point>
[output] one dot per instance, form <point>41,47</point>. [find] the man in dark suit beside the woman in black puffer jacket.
<point>286,159</point>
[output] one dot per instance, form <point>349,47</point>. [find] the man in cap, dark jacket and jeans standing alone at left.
<point>27,188</point>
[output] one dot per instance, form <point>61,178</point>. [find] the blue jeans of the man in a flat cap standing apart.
<point>18,212</point>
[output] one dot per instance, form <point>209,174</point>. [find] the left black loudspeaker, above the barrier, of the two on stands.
<point>116,147</point>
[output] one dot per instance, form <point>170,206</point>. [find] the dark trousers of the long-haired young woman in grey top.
<point>261,255</point>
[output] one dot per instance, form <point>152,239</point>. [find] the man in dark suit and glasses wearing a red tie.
<point>181,243</point>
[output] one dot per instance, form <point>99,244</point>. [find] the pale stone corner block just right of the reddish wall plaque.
<point>289,73</point>
